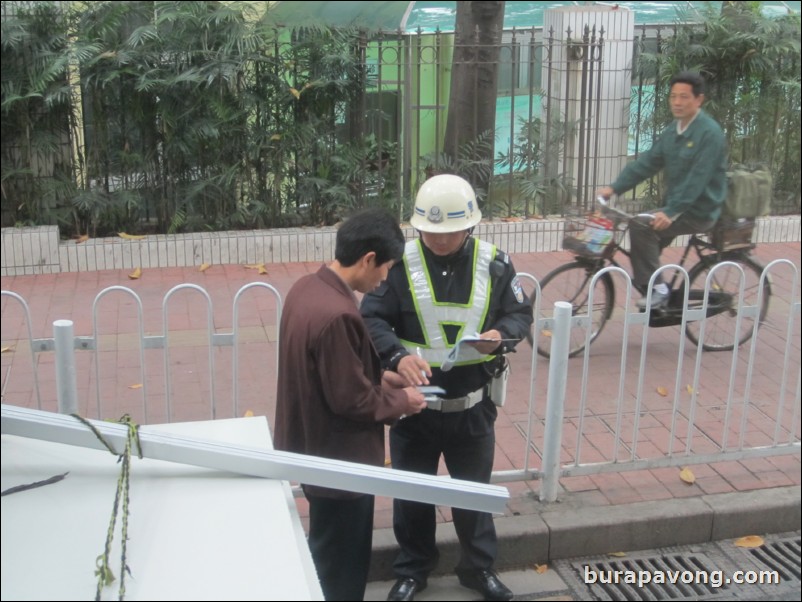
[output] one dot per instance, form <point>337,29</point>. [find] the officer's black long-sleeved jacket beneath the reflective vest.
<point>390,313</point>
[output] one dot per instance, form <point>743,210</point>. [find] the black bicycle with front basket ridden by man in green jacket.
<point>571,282</point>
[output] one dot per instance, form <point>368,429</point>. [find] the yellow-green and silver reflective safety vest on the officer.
<point>433,315</point>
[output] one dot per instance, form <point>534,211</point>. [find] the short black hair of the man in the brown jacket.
<point>369,230</point>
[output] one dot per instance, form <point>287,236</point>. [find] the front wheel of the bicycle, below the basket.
<point>571,283</point>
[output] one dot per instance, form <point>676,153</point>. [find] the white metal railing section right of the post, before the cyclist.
<point>785,434</point>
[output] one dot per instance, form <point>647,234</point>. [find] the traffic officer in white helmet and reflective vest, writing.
<point>449,286</point>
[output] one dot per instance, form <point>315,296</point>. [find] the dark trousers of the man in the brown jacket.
<point>340,539</point>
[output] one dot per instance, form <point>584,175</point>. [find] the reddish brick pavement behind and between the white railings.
<point>70,296</point>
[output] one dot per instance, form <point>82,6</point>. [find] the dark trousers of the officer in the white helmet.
<point>466,441</point>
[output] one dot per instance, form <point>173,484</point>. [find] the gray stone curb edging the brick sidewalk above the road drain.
<point>567,530</point>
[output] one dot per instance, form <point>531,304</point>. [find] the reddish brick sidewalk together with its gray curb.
<point>595,514</point>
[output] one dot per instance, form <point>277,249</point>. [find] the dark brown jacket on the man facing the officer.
<point>330,401</point>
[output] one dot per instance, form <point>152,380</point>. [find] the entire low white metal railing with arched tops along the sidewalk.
<point>692,430</point>
